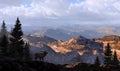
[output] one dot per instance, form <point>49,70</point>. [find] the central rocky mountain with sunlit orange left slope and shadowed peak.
<point>86,48</point>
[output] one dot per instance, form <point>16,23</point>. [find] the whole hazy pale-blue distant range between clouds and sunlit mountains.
<point>71,31</point>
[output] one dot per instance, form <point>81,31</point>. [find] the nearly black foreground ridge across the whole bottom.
<point>14,65</point>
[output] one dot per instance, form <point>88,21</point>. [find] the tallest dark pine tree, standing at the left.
<point>16,41</point>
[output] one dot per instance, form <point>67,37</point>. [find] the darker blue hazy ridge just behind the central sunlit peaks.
<point>66,34</point>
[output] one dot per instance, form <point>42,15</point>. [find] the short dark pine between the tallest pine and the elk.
<point>27,52</point>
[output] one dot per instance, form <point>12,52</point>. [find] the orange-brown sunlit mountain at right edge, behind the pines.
<point>113,40</point>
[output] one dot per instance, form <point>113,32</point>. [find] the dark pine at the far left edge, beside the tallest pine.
<point>4,40</point>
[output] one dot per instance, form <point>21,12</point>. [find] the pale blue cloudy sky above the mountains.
<point>60,12</point>
